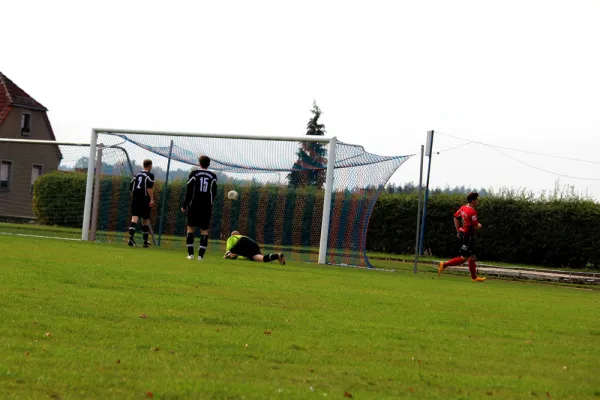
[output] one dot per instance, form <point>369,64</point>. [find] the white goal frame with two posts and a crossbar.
<point>332,141</point>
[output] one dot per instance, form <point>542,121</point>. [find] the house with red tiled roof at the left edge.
<point>22,117</point>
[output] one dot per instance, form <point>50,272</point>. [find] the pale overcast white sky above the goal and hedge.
<point>521,77</point>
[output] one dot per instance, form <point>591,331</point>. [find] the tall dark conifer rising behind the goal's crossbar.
<point>310,169</point>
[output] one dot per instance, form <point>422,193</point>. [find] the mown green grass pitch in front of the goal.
<point>83,320</point>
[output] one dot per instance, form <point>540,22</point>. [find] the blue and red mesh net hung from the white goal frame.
<point>282,186</point>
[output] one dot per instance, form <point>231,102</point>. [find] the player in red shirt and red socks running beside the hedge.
<point>466,234</point>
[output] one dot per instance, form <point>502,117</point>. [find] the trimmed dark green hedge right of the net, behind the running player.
<point>555,233</point>
